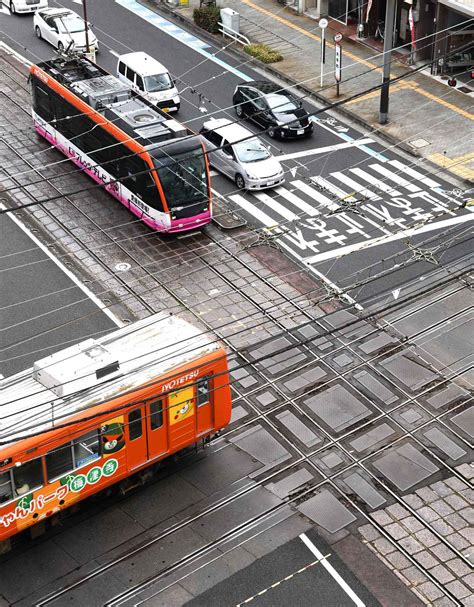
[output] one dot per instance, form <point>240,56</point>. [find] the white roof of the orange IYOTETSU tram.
<point>145,350</point>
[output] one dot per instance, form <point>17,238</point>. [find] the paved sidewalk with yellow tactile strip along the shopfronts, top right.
<point>426,117</point>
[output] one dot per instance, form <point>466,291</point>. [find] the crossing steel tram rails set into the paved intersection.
<point>266,415</point>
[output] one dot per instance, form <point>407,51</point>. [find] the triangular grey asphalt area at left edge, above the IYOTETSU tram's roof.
<point>42,309</point>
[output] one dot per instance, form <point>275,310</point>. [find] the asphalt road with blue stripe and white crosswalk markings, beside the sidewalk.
<point>388,199</point>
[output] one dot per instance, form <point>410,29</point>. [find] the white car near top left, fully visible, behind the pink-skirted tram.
<point>64,28</point>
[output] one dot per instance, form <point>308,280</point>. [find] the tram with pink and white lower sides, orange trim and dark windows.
<point>150,162</point>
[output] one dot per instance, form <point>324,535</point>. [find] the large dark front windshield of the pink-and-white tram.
<point>184,179</point>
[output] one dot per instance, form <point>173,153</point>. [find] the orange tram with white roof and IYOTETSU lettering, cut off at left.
<point>95,413</point>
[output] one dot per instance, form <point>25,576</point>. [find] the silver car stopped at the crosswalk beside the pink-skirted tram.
<point>239,154</point>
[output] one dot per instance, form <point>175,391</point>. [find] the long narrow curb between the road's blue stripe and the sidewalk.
<point>159,6</point>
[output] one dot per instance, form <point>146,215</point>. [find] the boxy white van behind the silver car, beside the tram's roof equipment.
<point>149,77</point>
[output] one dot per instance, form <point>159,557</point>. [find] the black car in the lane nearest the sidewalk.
<point>273,108</point>
